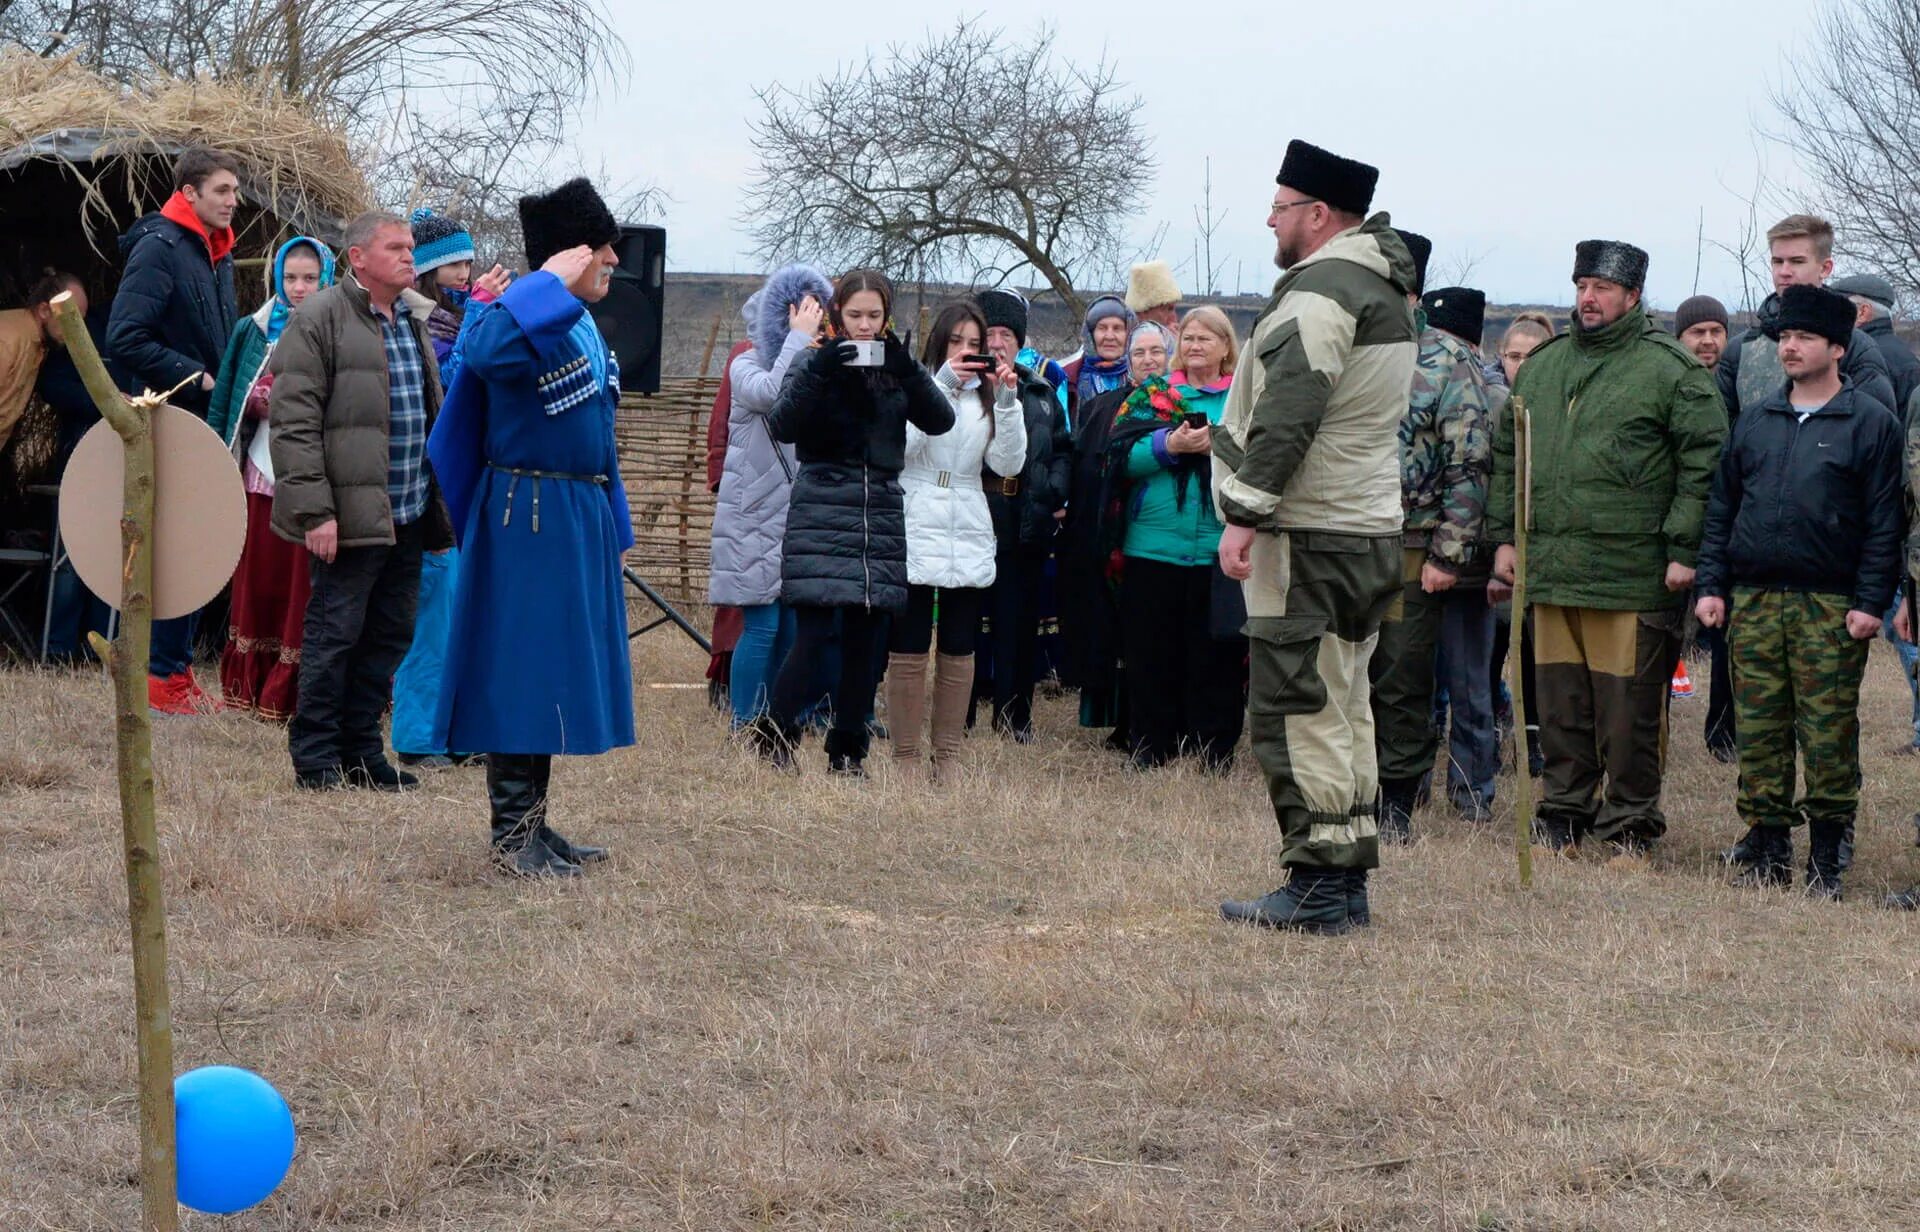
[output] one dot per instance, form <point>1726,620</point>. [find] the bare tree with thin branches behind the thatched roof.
<point>458,103</point>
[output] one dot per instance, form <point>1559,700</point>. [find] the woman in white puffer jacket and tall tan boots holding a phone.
<point>949,533</point>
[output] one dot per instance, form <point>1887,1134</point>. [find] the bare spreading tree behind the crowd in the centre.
<point>972,156</point>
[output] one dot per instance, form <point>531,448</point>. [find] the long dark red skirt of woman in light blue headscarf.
<point>260,669</point>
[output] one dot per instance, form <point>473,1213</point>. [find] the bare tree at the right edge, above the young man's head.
<point>1850,108</point>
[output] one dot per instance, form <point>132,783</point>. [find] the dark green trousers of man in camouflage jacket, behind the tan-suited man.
<point>1403,676</point>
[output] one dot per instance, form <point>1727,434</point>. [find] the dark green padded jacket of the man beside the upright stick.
<point>1627,431</point>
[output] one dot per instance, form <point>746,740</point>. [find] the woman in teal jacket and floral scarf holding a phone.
<point>1182,644</point>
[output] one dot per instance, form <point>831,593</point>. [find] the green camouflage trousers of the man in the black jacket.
<point>1796,690</point>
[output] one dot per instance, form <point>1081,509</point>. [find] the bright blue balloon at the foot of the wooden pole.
<point>235,1139</point>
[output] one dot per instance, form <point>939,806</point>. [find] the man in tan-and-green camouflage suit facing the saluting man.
<point>1307,481</point>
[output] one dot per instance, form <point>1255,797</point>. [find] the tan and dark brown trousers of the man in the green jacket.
<point>1602,682</point>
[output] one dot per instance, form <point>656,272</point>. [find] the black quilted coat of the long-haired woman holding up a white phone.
<point>848,523</point>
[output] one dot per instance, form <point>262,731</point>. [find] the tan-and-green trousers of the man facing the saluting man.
<point>1314,611</point>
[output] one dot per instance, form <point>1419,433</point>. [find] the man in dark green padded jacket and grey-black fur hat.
<point>1627,429</point>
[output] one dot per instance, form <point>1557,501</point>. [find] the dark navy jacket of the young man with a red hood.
<point>174,310</point>
